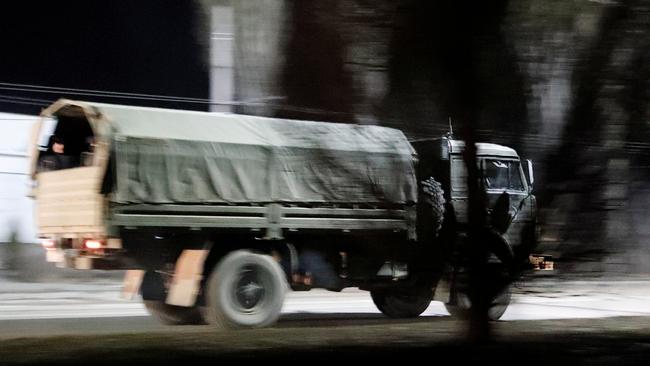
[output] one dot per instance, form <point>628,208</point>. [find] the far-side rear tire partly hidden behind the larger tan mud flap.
<point>153,295</point>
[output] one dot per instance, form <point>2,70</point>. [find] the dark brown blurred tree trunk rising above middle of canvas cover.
<point>315,82</point>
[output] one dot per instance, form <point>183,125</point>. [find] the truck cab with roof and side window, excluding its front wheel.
<point>503,174</point>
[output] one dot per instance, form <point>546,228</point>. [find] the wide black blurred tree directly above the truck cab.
<point>426,48</point>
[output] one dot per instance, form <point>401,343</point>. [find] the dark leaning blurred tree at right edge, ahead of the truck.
<point>589,176</point>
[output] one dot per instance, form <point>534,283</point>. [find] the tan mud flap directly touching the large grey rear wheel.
<point>186,282</point>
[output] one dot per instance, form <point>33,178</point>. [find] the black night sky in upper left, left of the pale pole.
<point>144,47</point>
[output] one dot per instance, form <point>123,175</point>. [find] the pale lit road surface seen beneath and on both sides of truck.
<point>37,309</point>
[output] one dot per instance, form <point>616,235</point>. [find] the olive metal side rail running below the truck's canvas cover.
<point>272,217</point>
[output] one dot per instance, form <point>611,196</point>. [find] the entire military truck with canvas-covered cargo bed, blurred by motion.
<point>216,216</point>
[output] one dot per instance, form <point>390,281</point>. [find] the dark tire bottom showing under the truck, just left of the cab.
<point>401,303</point>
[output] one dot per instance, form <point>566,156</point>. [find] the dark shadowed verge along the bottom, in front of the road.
<point>620,341</point>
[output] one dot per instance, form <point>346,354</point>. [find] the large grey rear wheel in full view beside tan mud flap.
<point>245,290</point>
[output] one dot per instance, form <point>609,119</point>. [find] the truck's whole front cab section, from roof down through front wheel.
<point>511,213</point>
